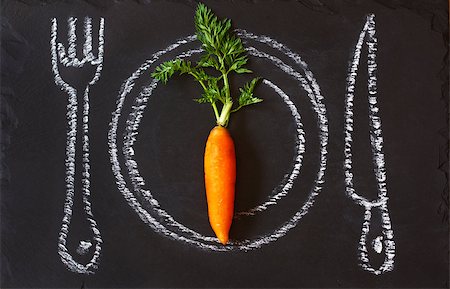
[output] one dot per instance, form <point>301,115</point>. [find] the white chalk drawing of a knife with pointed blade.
<point>376,140</point>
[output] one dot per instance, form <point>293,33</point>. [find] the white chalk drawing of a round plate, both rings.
<point>135,191</point>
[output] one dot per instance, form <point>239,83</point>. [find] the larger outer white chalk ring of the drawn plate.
<point>308,83</point>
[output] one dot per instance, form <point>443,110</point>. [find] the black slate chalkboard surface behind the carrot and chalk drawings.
<point>322,250</point>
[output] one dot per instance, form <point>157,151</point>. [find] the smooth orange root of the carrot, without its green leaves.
<point>220,179</point>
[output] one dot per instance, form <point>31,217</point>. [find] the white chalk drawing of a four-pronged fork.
<point>70,59</point>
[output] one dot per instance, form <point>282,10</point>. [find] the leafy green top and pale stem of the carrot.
<point>224,52</point>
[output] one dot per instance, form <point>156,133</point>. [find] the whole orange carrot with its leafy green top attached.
<point>225,53</point>
